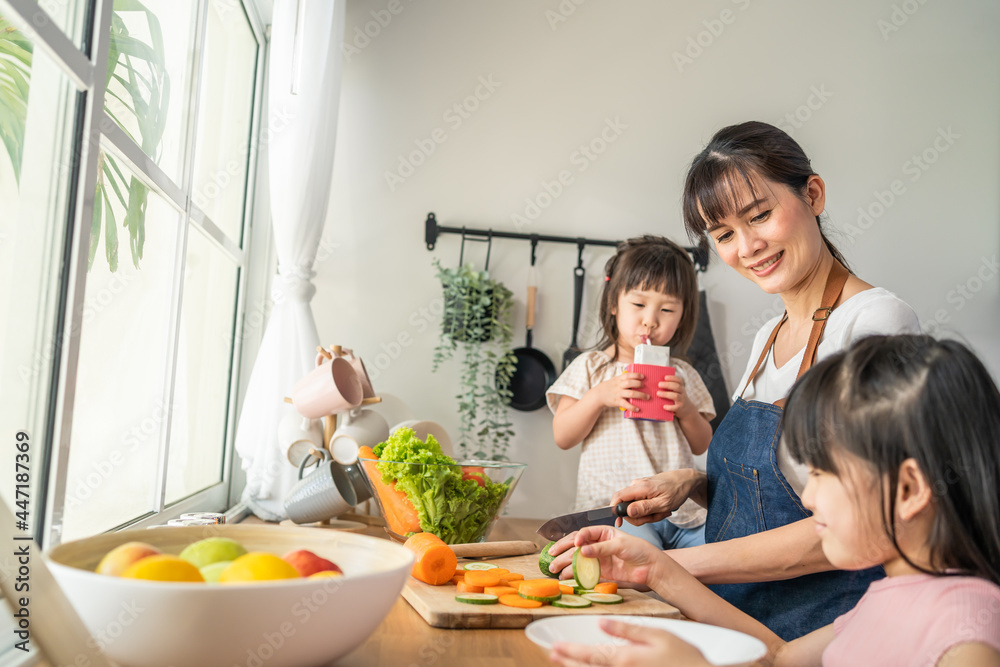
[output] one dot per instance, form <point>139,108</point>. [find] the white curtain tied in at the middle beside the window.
<point>304,87</point>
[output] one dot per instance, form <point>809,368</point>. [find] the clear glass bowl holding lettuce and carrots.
<point>460,502</point>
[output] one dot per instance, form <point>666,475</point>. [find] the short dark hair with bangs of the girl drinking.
<point>650,263</point>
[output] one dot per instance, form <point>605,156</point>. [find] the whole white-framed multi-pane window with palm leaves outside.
<point>126,190</point>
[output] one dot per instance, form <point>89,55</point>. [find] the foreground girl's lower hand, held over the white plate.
<point>646,646</point>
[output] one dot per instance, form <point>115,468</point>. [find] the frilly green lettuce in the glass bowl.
<point>454,506</point>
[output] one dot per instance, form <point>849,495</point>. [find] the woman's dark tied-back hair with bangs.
<point>732,159</point>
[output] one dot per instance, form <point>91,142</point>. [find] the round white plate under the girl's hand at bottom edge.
<point>720,646</point>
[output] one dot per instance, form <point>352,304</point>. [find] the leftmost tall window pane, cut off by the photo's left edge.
<point>38,105</point>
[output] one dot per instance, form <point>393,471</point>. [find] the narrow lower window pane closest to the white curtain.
<point>204,353</point>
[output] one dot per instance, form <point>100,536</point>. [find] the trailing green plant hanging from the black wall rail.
<point>476,322</point>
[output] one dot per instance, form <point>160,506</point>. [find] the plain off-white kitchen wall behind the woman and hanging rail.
<point>885,97</point>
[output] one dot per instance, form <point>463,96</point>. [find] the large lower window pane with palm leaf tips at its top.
<point>121,407</point>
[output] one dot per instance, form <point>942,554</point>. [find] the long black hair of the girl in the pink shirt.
<point>891,398</point>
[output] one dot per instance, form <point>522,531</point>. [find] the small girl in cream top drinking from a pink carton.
<point>650,290</point>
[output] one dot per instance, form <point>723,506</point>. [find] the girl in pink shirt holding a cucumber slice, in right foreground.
<point>900,434</point>
